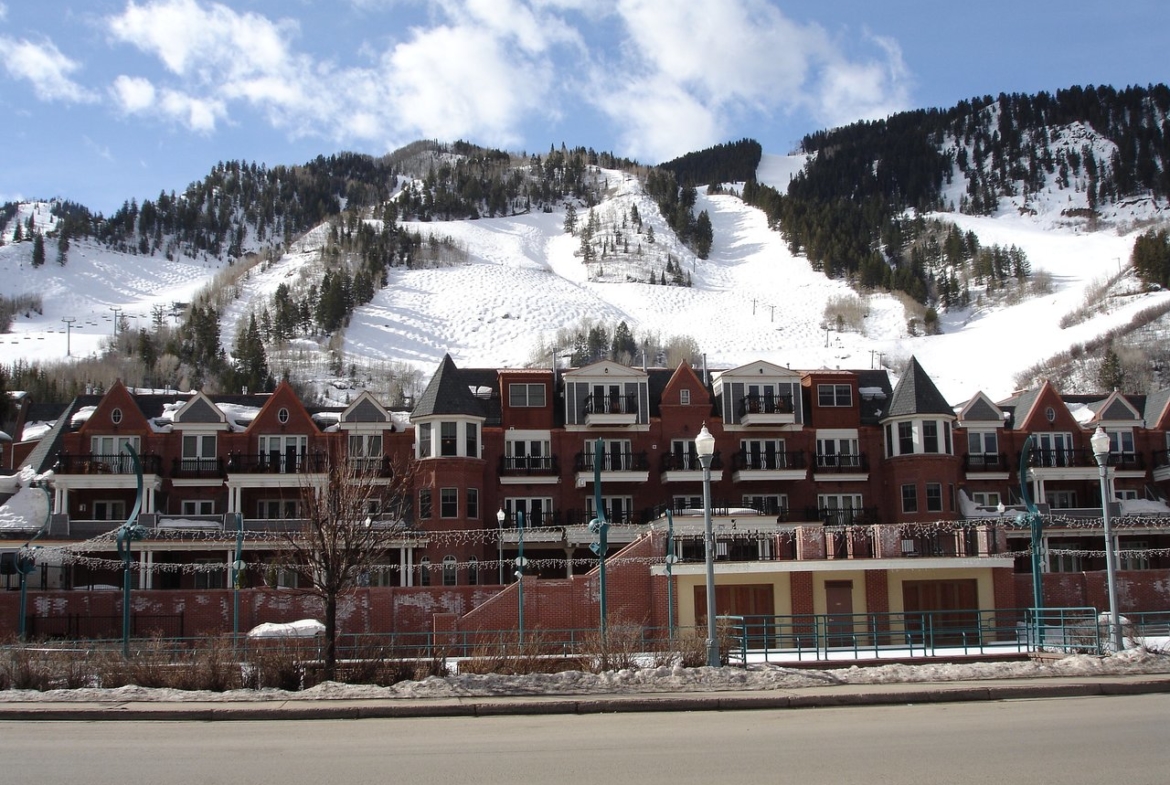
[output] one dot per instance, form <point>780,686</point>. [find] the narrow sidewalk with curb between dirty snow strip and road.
<point>836,696</point>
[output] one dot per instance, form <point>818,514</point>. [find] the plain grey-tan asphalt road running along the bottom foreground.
<point>1083,740</point>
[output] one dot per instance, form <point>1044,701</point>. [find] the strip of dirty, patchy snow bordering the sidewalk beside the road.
<point>646,680</point>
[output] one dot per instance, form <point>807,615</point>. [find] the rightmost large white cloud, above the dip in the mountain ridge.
<point>725,60</point>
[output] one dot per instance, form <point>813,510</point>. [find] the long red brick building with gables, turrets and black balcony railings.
<point>834,492</point>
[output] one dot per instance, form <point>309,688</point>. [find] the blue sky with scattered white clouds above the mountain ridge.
<point>111,100</point>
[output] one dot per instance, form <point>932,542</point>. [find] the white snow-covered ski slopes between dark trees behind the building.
<point>524,281</point>
